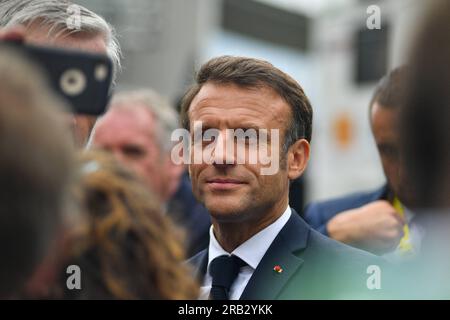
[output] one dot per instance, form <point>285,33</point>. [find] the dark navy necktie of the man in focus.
<point>223,270</point>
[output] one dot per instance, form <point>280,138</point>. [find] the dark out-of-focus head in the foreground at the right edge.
<point>426,123</point>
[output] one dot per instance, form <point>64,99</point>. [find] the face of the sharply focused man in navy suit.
<point>236,192</point>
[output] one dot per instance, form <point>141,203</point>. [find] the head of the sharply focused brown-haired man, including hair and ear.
<point>245,93</point>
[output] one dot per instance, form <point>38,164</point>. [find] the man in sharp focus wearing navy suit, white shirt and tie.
<point>259,247</point>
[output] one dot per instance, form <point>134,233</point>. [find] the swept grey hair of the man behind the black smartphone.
<point>55,14</point>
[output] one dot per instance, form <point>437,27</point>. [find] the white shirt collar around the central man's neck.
<point>253,250</point>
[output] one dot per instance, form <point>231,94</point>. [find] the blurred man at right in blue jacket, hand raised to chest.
<point>378,221</point>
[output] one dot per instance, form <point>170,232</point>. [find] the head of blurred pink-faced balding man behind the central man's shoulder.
<point>137,130</point>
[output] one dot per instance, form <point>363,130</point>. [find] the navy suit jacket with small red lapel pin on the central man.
<point>314,267</point>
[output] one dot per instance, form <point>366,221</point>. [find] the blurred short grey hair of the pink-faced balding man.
<point>165,115</point>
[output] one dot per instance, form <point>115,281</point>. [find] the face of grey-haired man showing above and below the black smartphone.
<point>81,125</point>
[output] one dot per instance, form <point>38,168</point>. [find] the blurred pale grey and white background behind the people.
<point>324,44</point>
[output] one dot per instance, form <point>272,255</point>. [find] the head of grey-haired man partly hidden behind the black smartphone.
<point>49,23</point>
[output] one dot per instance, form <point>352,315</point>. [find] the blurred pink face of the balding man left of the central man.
<point>130,135</point>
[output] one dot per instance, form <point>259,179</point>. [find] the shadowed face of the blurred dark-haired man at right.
<point>385,131</point>
